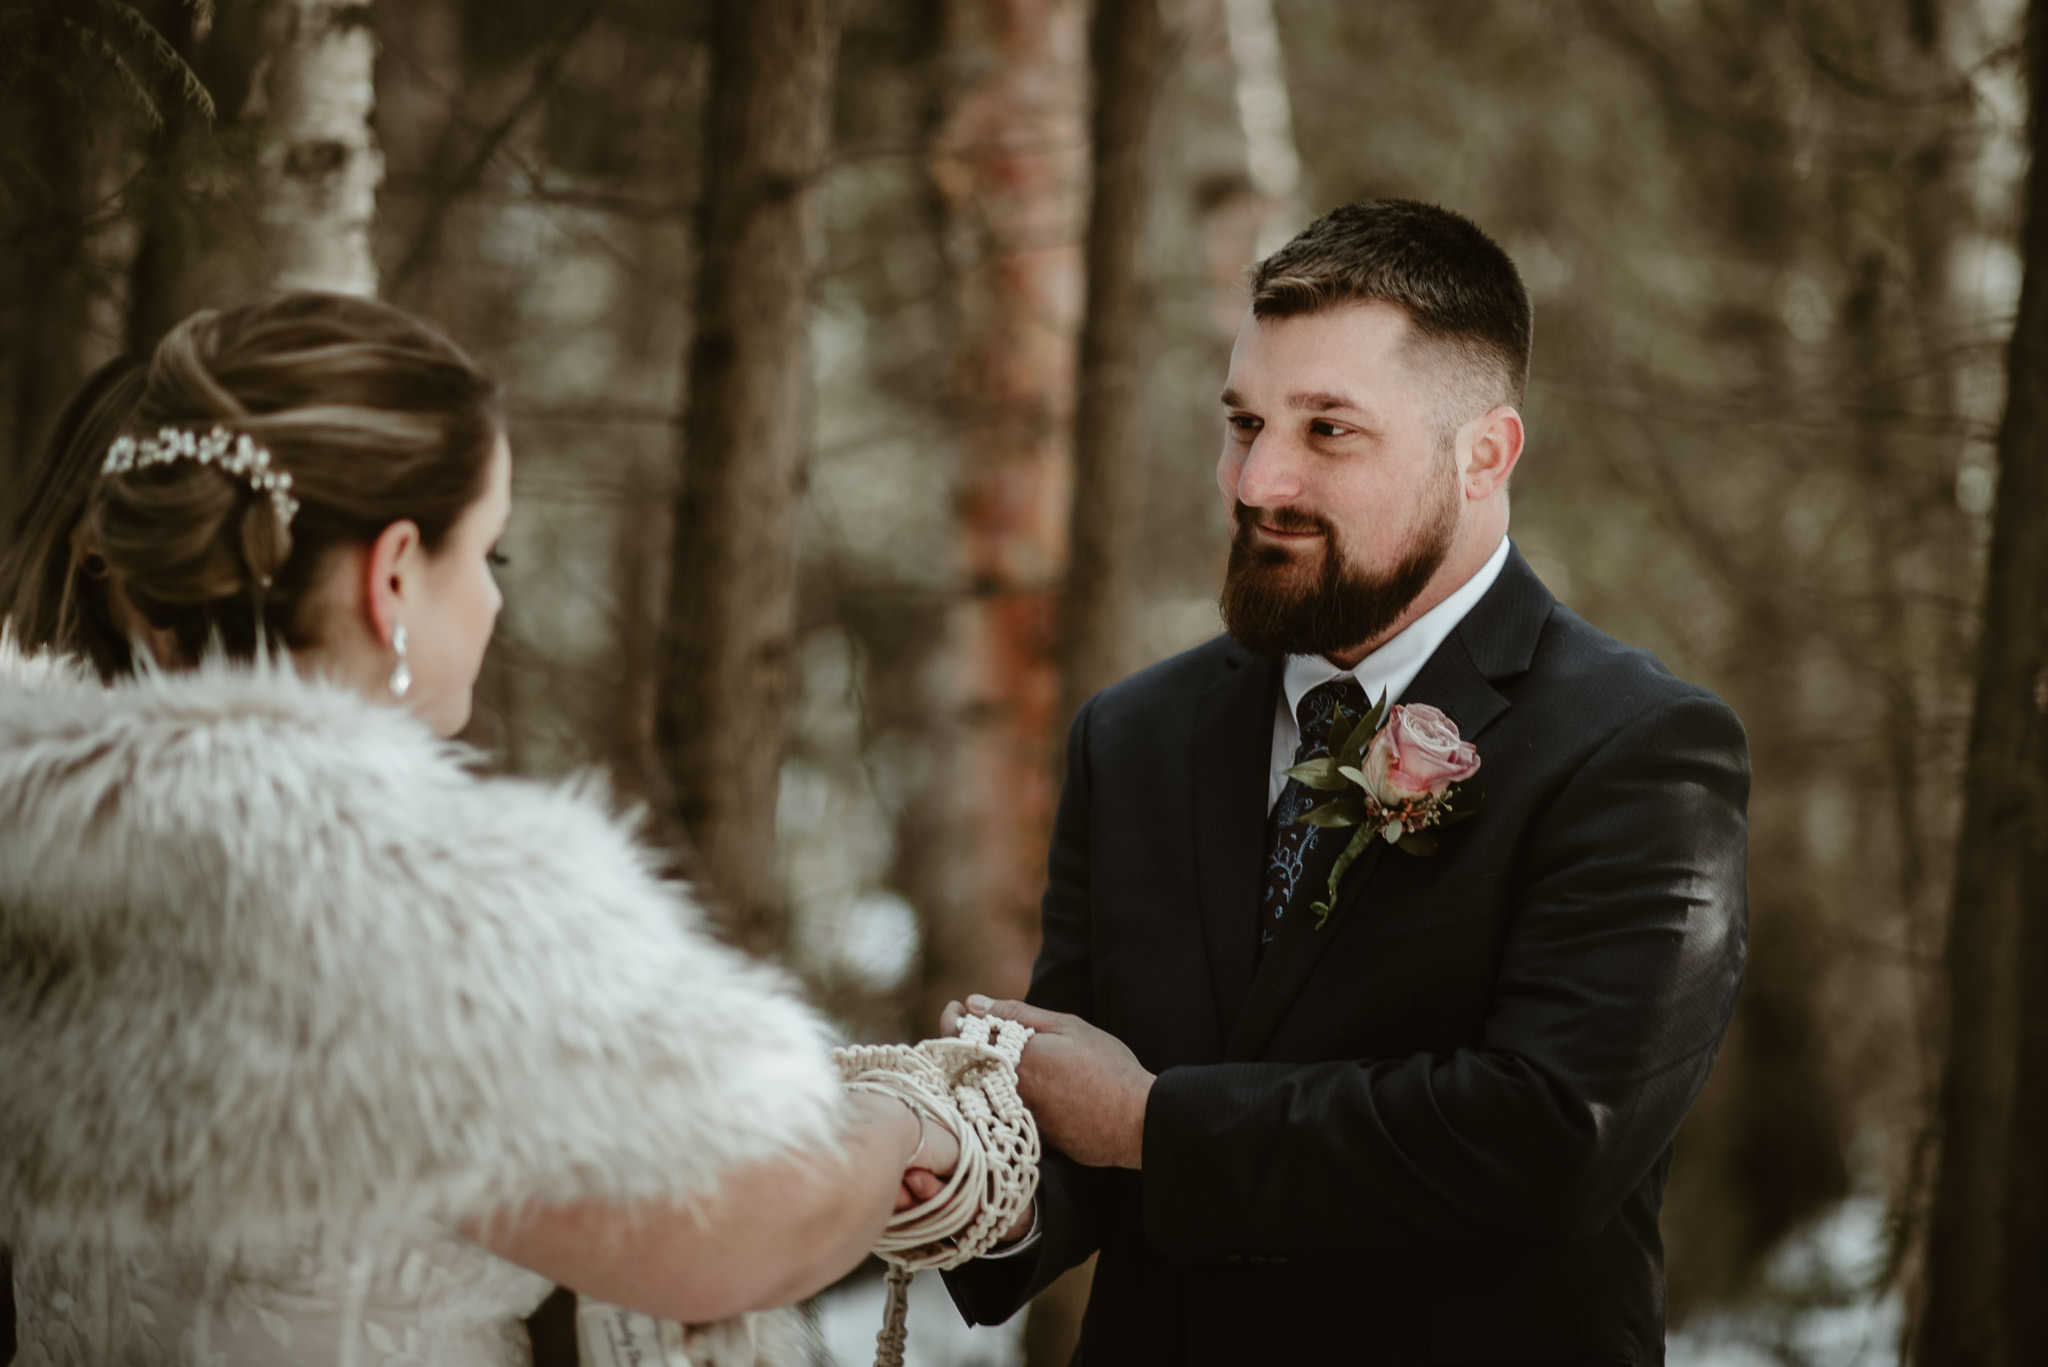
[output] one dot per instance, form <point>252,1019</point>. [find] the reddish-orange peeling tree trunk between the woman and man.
<point>1009,173</point>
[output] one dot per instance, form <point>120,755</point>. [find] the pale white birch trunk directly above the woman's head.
<point>316,159</point>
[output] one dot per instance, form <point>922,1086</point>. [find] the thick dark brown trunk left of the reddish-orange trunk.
<point>734,569</point>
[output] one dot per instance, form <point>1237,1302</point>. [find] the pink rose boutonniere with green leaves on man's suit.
<point>1400,776</point>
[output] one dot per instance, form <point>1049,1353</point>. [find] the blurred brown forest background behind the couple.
<point>863,368</point>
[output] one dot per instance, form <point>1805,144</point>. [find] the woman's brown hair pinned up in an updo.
<point>374,415</point>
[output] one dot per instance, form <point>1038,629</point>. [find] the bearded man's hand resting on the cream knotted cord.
<point>1082,1085</point>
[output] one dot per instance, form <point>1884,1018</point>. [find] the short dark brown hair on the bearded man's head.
<point>1453,282</point>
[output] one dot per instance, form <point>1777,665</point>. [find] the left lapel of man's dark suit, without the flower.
<point>1232,759</point>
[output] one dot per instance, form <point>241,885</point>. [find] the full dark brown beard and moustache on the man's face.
<point>1279,606</point>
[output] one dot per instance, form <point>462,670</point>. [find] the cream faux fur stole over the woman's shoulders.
<point>275,960</point>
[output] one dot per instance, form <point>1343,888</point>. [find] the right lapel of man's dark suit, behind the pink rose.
<point>1494,643</point>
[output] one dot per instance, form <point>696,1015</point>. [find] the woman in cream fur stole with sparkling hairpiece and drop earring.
<point>318,1046</point>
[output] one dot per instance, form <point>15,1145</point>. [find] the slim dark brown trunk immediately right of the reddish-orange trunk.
<point>1129,63</point>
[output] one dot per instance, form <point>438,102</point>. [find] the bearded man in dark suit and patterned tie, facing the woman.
<point>1437,1124</point>
